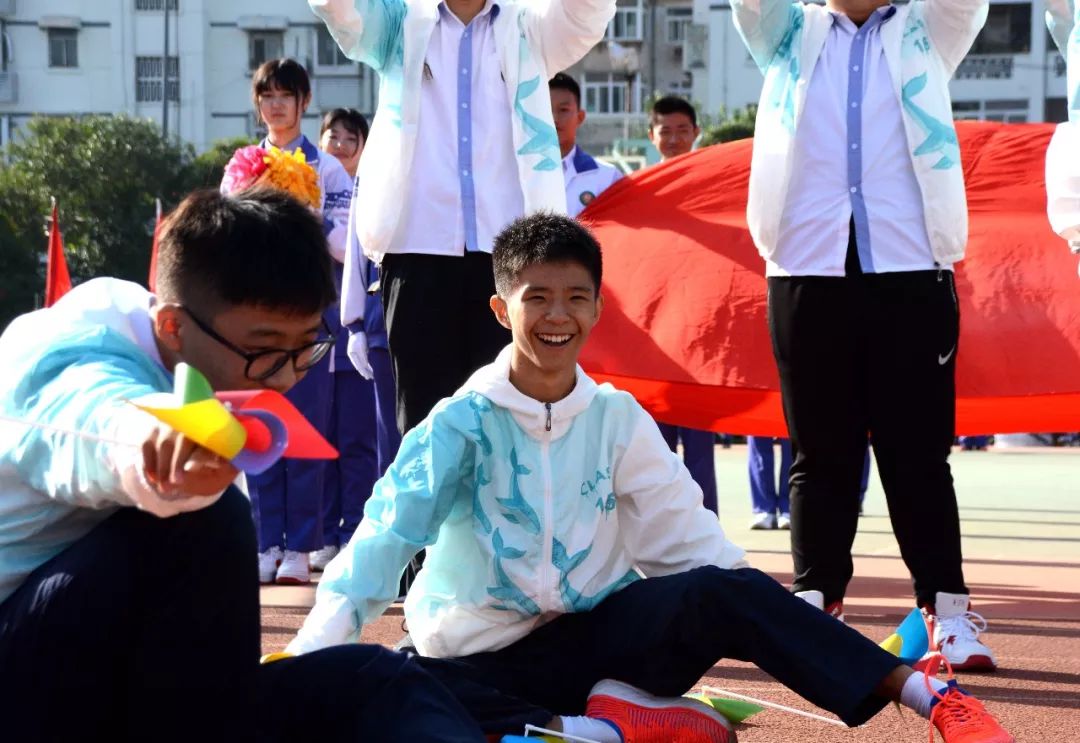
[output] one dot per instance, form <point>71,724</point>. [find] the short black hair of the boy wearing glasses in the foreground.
<point>259,248</point>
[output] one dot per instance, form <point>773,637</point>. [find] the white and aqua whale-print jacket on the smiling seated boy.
<point>528,510</point>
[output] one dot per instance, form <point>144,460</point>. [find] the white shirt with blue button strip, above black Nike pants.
<point>853,165</point>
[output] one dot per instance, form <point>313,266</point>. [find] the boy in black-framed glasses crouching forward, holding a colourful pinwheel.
<point>129,606</point>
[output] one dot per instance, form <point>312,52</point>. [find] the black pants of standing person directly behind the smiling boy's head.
<point>440,327</point>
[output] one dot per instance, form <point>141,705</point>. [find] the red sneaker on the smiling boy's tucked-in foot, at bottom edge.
<point>644,719</point>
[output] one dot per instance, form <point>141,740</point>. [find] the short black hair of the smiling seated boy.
<point>544,238</point>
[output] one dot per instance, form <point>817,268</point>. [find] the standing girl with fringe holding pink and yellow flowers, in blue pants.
<point>289,497</point>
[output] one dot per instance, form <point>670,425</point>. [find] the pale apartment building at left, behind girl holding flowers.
<point>190,67</point>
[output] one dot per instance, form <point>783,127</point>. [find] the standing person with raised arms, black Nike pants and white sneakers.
<point>858,206</point>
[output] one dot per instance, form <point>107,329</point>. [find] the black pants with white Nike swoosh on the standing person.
<point>870,355</point>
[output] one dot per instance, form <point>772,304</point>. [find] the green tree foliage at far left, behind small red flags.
<point>105,173</point>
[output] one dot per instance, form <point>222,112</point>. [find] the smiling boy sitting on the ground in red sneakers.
<point>574,578</point>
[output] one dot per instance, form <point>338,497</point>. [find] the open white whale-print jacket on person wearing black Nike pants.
<point>924,46</point>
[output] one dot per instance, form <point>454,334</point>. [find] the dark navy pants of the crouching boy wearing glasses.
<point>148,630</point>
